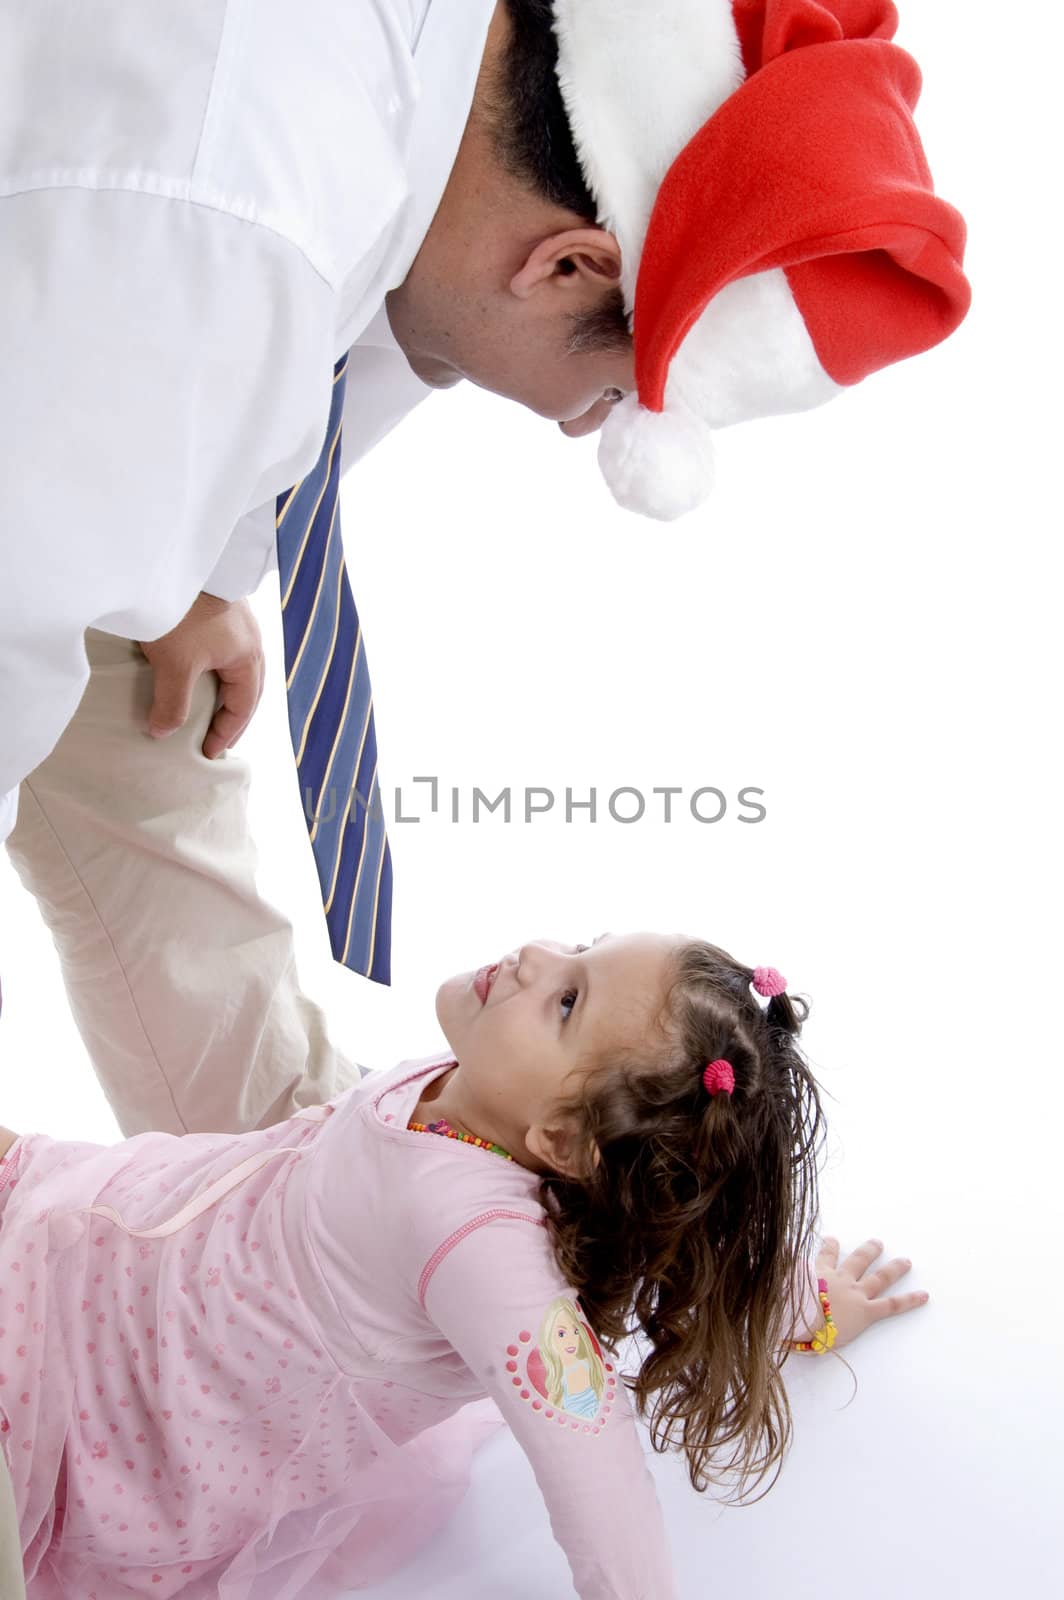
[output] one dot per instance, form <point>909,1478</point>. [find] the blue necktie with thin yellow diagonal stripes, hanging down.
<point>330,713</point>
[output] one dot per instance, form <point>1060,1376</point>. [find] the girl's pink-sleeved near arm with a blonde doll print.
<point>498,1298</point>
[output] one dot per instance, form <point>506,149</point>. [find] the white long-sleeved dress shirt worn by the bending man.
<point>201,210</point>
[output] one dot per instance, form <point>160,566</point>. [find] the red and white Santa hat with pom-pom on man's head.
<point>778,226</point>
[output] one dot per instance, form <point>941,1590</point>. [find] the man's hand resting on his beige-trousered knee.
<point>215,636</point>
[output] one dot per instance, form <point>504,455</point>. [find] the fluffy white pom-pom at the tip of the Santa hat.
<point>657,463</point>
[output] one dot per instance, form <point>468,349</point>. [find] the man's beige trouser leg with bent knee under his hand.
<point>180,975</point>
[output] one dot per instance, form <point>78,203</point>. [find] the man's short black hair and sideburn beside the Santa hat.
<point>534,142</point>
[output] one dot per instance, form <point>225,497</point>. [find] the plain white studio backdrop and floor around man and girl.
<point>862,625</point>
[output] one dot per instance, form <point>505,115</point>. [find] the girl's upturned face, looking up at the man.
<point>526,1028</point>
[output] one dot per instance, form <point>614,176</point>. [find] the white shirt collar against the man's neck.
<point>449,52</point>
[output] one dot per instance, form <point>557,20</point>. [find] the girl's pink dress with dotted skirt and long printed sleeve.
<point>249,1367</point>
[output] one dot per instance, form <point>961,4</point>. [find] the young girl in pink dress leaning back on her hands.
<point>242,1366</point>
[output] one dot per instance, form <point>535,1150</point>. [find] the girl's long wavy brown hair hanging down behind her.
<point>694,1218</point>
